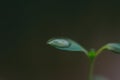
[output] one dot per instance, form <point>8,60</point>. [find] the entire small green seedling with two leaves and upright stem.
<point>67,44</point>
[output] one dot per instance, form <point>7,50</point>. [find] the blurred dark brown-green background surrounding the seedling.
<point>27,25</point>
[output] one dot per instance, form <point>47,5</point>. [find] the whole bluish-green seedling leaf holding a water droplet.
<point>66,44</point>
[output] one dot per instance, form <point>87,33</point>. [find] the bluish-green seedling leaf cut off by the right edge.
<point>115,47</point>
